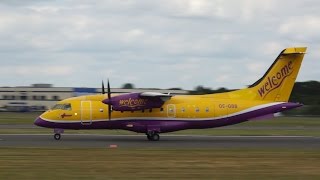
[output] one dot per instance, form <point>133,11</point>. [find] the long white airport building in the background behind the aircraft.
<point>40,97</point>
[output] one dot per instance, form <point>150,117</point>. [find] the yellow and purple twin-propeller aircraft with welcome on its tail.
<point>153,113</point>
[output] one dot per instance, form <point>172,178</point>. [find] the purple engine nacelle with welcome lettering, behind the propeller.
<point>133,102</point>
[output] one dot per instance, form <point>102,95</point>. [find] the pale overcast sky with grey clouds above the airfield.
<point>156,44</point>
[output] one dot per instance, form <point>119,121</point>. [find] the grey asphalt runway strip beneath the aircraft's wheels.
<point>166,141</point>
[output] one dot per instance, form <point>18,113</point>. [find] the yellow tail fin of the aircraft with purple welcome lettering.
<point>277,83</point>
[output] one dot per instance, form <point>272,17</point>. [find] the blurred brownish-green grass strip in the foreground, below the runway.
<point>36,163</point>
